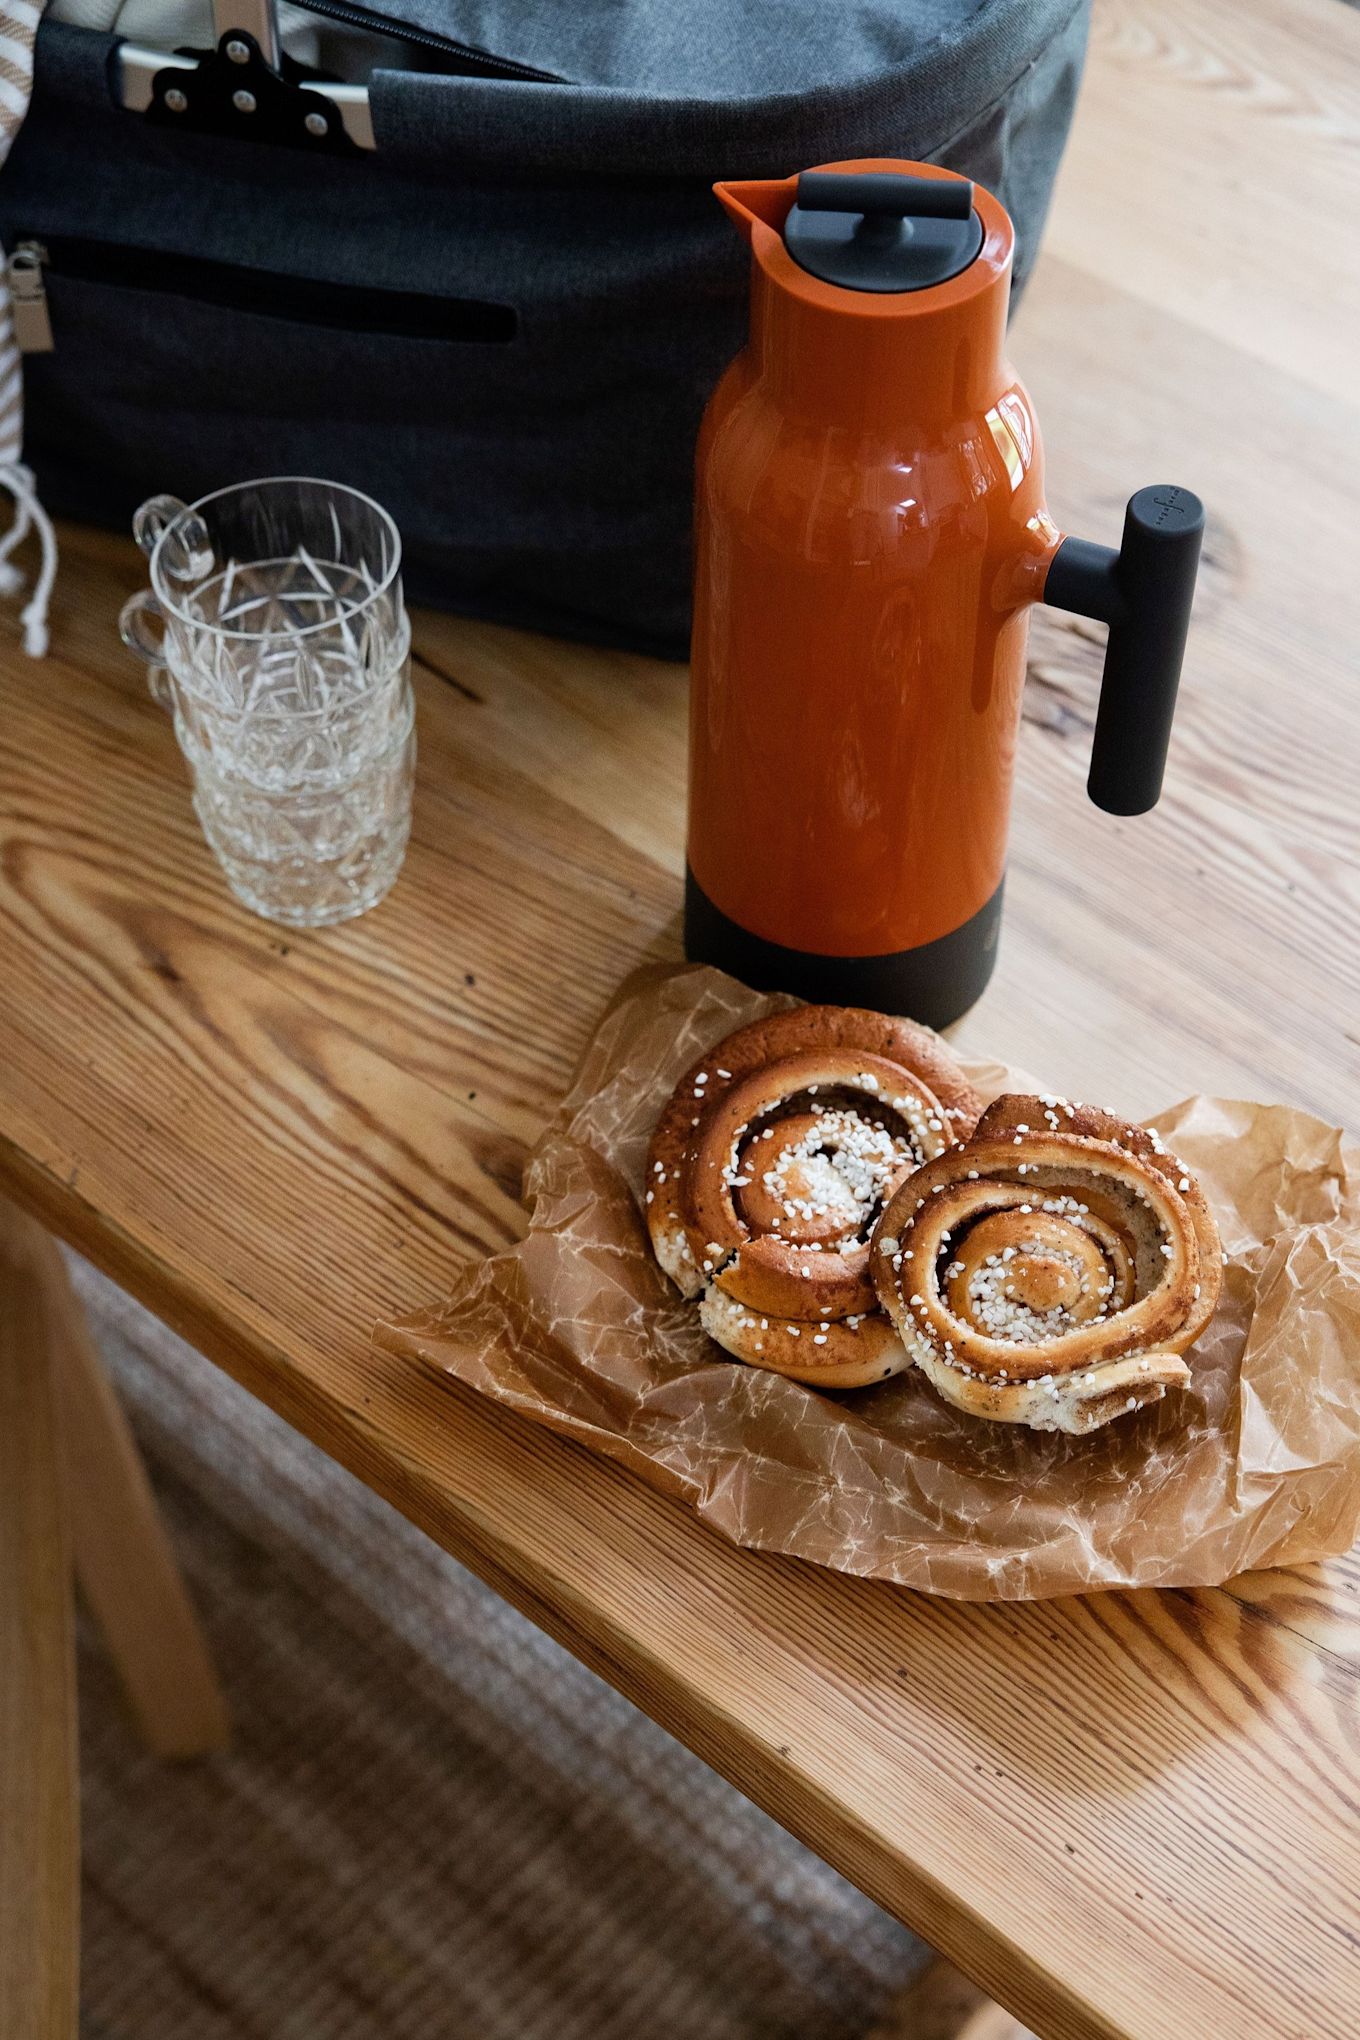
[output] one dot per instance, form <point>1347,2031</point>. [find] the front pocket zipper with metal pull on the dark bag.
<point>313,303</point>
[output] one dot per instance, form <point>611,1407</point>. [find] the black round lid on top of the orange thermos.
<point>880,229</point>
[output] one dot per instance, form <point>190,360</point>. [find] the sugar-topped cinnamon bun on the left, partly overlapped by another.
<point>770,1168</point>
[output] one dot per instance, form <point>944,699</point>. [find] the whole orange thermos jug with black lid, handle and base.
<point>872,533</point>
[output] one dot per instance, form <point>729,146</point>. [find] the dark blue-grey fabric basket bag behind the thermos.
<point>507,315</point>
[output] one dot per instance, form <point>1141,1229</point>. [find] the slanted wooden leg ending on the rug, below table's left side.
<point>123,1558</point>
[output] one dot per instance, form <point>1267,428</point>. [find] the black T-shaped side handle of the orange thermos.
<point>1145,595</point>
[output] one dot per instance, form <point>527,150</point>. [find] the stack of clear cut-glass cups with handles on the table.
<point>289,676</point>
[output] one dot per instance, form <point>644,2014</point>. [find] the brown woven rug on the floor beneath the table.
<point>433,1823</point>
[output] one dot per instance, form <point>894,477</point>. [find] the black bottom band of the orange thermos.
<point>935,982</point>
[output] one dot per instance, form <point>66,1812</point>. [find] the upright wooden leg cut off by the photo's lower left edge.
<point>40,1776</point>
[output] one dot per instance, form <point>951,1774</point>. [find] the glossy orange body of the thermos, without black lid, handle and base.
<point>870,535</point>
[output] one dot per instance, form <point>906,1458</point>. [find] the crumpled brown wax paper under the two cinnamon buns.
<point>1257,1464</point>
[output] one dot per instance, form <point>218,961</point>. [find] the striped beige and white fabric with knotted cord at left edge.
<point>19,21</point>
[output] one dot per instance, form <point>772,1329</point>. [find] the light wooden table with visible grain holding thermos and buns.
<point>1133,1815</point>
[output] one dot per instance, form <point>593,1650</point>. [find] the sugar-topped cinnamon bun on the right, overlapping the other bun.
<point>1053,1270</point>
